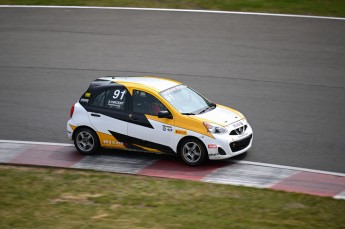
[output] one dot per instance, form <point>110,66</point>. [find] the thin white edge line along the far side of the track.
<point>173,10</point>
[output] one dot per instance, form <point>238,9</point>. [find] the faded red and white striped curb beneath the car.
<point>243,173</point>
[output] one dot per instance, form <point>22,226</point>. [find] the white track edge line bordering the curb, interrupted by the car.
<point>236,161</point>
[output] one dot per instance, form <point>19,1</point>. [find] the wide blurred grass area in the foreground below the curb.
<point>58,198</point>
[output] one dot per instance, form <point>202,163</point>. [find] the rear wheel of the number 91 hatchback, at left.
<point>86,141</point>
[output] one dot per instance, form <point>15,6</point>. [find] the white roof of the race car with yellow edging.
<point>157,83</point>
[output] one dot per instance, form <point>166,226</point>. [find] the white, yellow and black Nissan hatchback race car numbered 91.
<point>159,115</point>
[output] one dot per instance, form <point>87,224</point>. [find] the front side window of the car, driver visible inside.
<point>145,103</point>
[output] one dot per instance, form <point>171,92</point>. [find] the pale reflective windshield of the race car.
<point>186,100</point>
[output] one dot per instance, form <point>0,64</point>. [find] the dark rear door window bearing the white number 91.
<point>115,99</point>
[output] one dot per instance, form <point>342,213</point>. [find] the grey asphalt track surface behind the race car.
<point>287,75</point>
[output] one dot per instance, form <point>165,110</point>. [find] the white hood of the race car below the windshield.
<point>220,115</point>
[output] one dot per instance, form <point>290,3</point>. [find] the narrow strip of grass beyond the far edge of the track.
<point>306,7</point>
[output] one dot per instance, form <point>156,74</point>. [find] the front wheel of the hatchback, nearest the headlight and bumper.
<point>192,152</point>
